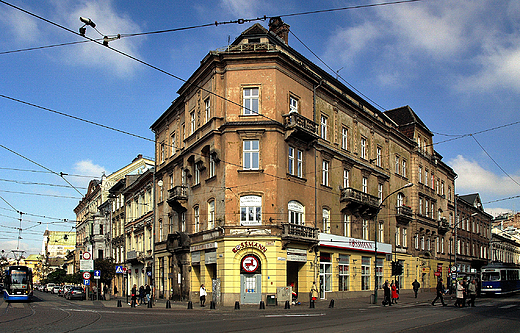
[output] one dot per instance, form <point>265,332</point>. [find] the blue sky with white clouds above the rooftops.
<point>455,63</point>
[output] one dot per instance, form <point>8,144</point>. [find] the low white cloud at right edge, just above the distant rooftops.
<point>474,178</point>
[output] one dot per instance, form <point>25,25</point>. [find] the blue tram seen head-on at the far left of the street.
<point>18,284</point>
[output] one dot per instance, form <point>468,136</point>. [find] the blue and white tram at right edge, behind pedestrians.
<point>499,279</point>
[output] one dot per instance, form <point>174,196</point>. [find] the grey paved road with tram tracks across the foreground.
<point>50,313</point>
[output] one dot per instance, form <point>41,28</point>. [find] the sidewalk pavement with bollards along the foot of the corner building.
<point>406,299</point>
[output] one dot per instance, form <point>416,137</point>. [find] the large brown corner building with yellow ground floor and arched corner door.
<point>272,173</point>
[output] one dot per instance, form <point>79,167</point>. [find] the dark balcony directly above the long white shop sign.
<point>360,204</point>
